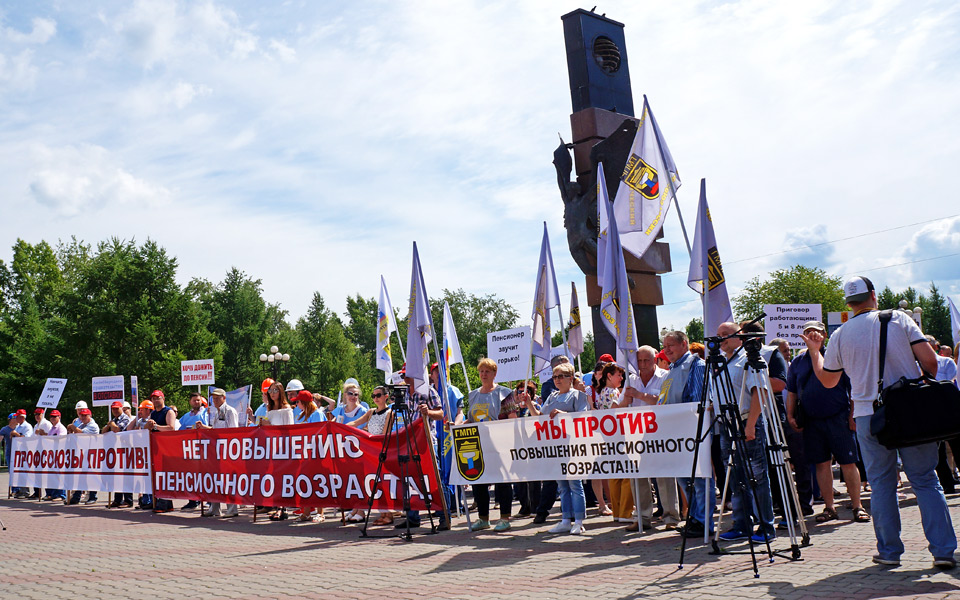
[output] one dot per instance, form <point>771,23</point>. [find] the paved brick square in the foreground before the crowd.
<point>55,551</point>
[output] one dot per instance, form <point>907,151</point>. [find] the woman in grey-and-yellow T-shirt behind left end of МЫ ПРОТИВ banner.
<point>491,402</point>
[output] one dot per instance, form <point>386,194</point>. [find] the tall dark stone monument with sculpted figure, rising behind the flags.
<point>603,129</point>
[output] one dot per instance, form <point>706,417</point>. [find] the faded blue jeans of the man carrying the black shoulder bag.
<point>919,463</point>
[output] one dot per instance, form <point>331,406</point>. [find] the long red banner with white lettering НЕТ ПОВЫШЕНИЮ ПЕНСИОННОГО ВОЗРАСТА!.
<point>309,465</point>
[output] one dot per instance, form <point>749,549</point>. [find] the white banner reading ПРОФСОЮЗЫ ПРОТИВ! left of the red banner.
<point>112,462</point>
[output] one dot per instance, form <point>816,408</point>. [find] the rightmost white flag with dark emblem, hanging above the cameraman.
<point>705,267</point>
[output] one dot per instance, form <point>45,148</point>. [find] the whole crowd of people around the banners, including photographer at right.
<point>822,396</point>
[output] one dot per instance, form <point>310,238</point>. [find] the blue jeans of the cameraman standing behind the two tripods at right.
<point>743,501</point>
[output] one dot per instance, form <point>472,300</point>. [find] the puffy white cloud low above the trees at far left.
<point>83,179</point>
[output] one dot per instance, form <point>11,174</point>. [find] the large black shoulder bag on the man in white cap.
<point>913,411</point>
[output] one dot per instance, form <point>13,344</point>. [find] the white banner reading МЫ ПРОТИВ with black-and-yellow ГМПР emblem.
<point>653,441</point>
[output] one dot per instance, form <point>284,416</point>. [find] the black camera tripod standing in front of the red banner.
<point>407,455</point>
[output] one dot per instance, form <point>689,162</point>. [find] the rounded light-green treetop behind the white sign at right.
<point>796,285</point>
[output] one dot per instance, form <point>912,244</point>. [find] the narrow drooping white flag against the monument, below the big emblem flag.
<point>615,304</point>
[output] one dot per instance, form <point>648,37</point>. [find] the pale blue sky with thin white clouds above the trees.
<point>318,140</point>
